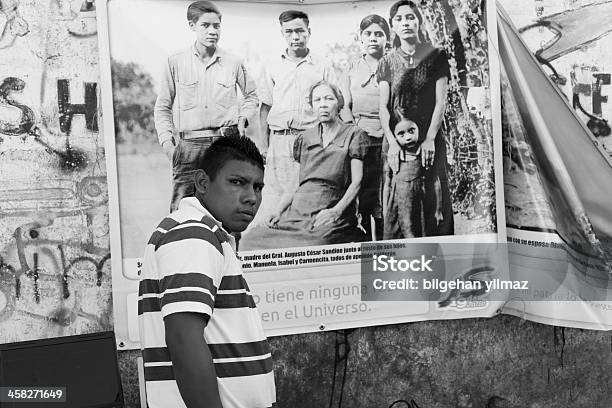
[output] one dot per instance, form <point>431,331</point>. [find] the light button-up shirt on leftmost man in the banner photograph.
<point>205,93</point>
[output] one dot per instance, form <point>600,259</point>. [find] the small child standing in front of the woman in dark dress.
<point>403,190</point>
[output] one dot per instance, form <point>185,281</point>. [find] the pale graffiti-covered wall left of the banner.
<point>55,277</point>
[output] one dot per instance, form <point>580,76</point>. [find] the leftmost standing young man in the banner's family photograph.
<point>201,81</point>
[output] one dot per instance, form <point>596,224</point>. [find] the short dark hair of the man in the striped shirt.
<point>229,148</point>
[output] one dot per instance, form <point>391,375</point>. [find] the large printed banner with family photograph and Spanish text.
<point>305,278</point>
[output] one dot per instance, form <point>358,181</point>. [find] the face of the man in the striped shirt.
<point>233,197</point>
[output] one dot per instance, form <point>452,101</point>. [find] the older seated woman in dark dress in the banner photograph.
<point>320,208</point>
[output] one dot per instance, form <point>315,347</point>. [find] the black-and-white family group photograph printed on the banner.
<point>375,119</point>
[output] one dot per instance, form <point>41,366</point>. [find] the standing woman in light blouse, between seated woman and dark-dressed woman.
<point>360,89</point>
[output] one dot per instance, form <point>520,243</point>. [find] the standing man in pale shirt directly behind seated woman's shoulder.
<point>285,111</point>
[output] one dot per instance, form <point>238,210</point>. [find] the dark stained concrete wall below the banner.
<point>476,363</point>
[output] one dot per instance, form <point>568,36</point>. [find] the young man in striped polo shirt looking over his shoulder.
<point>192,356</point>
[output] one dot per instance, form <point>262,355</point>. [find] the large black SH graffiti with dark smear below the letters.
<point>17,119</point>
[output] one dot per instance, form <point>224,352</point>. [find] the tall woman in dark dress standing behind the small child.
<point>422,91</point>
